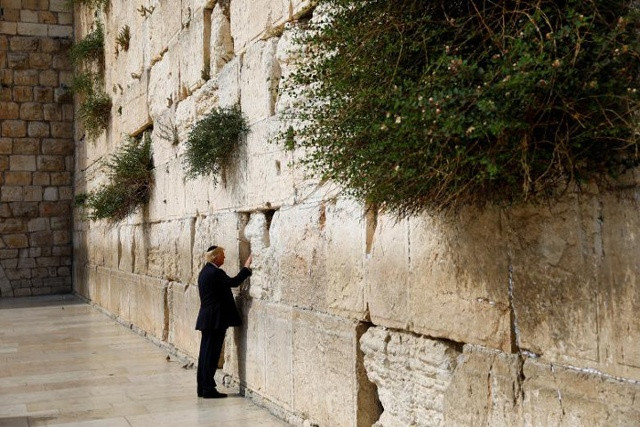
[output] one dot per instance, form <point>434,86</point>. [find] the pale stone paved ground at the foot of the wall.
<point>64,363</point>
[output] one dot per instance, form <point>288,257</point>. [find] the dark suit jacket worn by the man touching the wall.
<point>217,306</point>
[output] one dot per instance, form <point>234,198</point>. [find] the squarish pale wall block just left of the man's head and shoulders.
<point>169,247</point>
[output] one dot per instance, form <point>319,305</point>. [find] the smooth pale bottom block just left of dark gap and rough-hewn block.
<point>325,379</point>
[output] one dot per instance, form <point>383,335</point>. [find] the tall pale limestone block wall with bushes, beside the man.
<point>524,316</point>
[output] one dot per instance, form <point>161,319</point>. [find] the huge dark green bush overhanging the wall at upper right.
<point>417,105</point>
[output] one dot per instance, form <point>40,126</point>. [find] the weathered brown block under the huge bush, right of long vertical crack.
<point>556,252</point>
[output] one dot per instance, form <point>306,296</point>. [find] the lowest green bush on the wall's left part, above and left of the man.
<point>130,180</point>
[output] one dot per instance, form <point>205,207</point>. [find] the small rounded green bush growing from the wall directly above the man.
<point>212,141</point>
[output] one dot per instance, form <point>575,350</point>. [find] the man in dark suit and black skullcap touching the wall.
<point>217,312</point>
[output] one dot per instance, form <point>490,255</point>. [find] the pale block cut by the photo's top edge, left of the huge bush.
<point>251,19</point>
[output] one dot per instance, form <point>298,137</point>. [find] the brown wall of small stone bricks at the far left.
<point>36,148</point>
